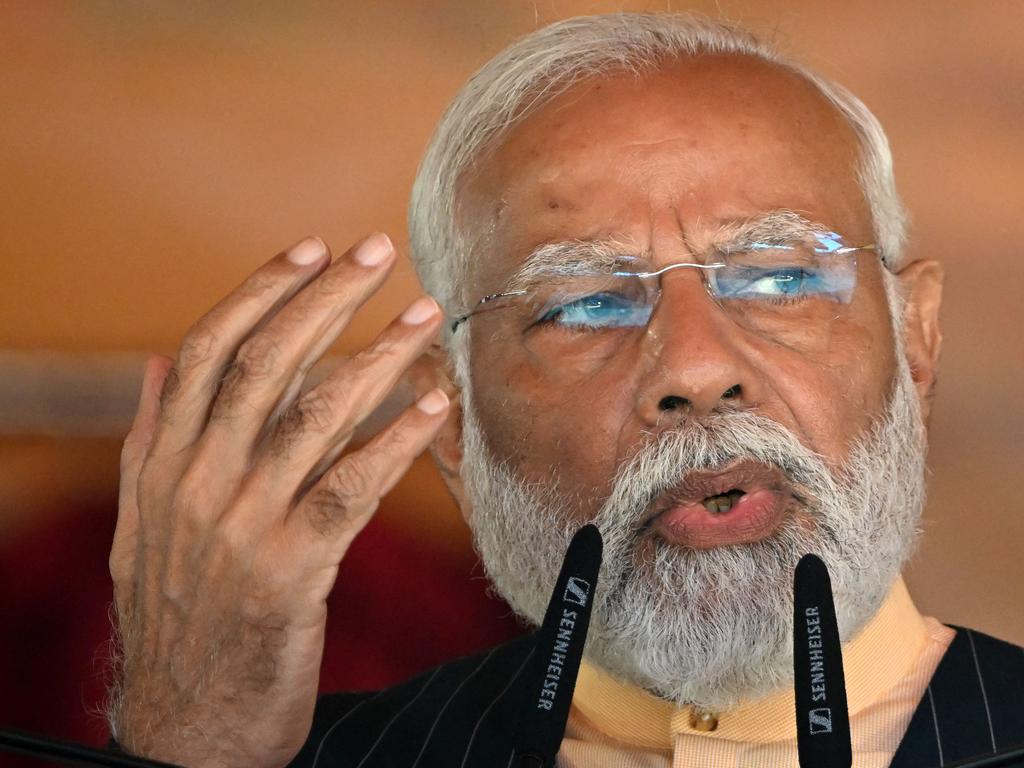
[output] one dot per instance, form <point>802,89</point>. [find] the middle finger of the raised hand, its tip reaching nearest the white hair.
<point>271,362</point>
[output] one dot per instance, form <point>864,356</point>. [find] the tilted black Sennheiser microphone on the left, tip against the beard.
<point>559,654</point>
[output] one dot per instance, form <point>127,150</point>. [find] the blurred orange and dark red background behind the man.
<point>153,155</point>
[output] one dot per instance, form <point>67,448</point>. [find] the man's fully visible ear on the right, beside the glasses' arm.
<point>921,285</point>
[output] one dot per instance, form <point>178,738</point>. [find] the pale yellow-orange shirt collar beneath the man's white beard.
<point>874,662</point>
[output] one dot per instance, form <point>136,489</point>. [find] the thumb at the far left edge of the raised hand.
<point>133,454</point>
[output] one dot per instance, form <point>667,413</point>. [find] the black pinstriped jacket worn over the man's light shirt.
<point>461,715</point>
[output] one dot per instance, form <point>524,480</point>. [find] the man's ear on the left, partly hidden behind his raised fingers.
<point>432,370</point>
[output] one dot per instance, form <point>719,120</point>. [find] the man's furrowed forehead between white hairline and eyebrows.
<point>659,160</point>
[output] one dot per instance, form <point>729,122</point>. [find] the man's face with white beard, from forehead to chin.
<point>810,426</point>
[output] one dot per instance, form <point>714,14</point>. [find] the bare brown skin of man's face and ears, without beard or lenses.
<point>662,163</point>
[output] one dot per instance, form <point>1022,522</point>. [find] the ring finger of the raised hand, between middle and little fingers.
<point>325,418</point>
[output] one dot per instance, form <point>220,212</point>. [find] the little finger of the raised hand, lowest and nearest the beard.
<point>342,503</point>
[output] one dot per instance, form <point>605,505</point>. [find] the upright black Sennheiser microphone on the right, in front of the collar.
<point>823,716</point>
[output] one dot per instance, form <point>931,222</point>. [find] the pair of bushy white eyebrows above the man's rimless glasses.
<point>567,259</point>
